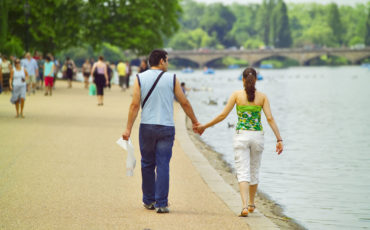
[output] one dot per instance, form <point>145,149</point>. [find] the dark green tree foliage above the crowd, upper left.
<point>55,25</point>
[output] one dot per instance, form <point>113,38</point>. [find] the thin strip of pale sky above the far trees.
<point>339,2</point>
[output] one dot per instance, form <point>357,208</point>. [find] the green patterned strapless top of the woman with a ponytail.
<point>249,117</point>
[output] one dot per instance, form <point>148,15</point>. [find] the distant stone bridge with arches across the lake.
<point>254,57</point>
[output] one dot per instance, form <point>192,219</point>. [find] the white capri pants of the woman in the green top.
<point>248,148</point>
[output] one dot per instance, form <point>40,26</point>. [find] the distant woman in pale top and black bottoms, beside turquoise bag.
<point>100,75</point>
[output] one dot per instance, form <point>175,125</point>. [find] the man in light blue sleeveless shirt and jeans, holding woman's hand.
<point>157,131</point>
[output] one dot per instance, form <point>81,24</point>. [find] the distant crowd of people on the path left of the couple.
<point>40,72</point>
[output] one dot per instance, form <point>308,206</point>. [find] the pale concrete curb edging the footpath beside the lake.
<point>256,220</point>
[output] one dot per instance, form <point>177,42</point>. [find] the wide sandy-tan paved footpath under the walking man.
<point>60,168</point>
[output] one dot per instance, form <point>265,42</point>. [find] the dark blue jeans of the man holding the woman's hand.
<point>156,143</point>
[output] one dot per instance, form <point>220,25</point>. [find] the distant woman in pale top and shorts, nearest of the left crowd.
<point>17,83</point>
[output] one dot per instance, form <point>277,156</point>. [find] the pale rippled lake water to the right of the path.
<point>322,179</point>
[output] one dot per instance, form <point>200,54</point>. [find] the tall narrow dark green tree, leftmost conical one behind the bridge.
<point>282,36</point>
